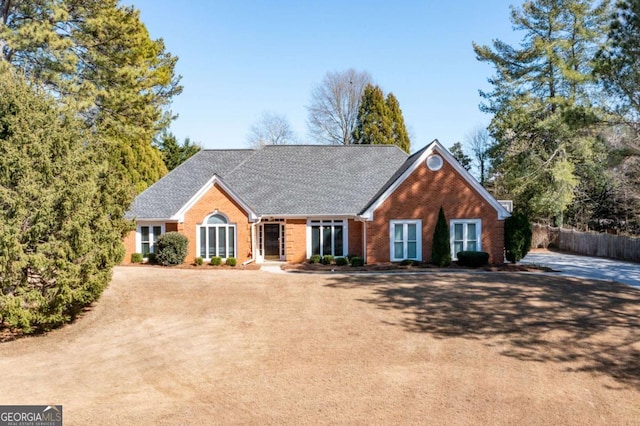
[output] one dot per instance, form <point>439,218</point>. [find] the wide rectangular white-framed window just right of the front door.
<point>327,237</point>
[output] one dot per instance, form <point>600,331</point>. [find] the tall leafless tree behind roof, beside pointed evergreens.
<point>334,106</point>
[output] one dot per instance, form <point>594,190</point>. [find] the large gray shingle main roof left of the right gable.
<point>280,179</point>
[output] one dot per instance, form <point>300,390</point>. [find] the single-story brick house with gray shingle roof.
<point>288,202</point>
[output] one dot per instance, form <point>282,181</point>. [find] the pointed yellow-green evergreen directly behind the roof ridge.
<point>380,121</point>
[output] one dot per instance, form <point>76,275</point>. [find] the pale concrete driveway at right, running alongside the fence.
<point>587,267</point>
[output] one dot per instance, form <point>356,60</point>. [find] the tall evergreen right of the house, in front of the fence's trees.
<point>542,104</point>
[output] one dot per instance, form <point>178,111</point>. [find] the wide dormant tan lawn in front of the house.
<point>170,346</point>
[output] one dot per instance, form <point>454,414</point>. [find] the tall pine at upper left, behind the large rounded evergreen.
<point>98,58</point>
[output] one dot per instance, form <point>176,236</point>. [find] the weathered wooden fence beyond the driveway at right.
<point>588,243</point>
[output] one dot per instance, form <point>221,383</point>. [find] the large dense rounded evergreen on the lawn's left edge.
<point>61,217</point>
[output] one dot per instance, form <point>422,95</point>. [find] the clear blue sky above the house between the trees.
<point>239,59</point>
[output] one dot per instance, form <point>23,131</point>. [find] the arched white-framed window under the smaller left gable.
<point>216,237</point>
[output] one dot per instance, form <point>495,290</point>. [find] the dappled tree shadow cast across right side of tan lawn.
<point>587,326</point>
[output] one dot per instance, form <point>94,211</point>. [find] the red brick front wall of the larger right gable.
<point>420,197</point>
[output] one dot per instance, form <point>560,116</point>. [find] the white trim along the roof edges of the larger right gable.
<point>436,147</point>
